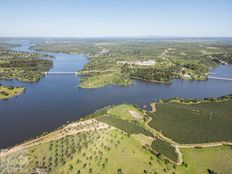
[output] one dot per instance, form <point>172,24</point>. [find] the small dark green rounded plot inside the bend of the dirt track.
<point>166,149</point>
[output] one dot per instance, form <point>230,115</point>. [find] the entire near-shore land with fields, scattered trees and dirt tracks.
<point>125,133</point>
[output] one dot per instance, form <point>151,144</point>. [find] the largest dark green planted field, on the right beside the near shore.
<point>203,122</point>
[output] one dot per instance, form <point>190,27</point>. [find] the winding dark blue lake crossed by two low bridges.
<point>56,99</point>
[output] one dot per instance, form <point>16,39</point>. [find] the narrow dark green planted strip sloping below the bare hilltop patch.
<point>124,125</point>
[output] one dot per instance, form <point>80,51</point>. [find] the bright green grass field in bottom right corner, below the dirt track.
<point>203,160</point>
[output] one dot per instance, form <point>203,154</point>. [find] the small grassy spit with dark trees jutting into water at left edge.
<point>7,92</point>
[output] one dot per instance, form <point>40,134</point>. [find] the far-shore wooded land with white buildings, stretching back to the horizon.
<point>172,58</point>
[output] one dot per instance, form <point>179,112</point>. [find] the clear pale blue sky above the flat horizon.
<point>115,18</point>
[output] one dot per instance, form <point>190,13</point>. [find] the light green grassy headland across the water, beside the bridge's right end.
<point>101,80</point>
